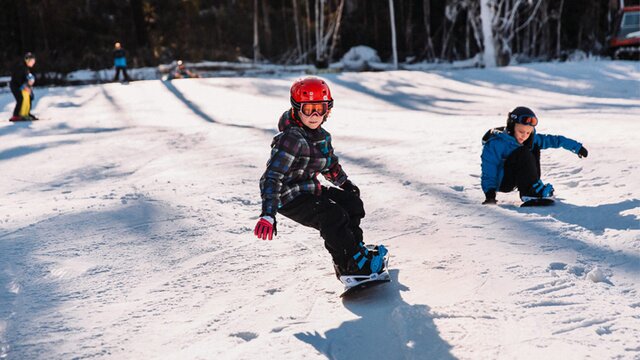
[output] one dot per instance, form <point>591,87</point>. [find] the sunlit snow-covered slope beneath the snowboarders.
<point>127,214</point>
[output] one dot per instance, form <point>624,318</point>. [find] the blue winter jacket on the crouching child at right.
<point>499,146</point>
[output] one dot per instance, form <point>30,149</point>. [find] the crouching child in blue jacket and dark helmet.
<point>511,157</point>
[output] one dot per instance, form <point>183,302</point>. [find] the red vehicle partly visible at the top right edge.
<point>625,42</point>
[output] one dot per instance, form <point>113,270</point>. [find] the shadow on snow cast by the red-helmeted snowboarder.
<point>387,328</point>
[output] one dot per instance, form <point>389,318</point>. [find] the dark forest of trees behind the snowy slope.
<point>79,34</point>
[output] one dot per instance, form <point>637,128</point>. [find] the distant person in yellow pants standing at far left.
<point>21,85</point>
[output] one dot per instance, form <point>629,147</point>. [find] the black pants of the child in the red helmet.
<point>336,214</point>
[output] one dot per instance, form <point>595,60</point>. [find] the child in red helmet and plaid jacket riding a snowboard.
<point>289,186</point>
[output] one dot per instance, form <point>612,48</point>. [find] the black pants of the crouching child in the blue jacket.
<point>521,170</point>
